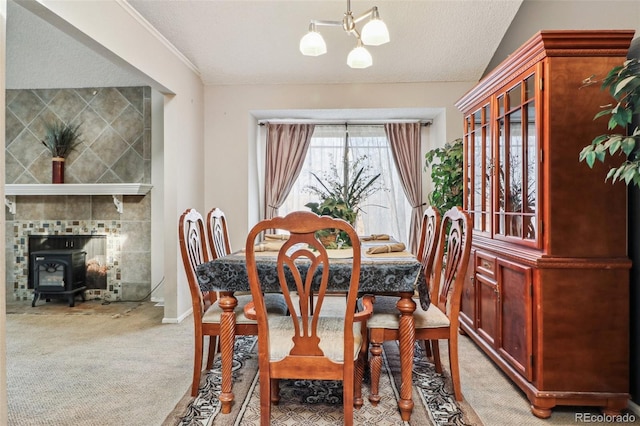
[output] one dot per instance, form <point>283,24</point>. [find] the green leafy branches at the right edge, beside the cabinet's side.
<point>623,83</point>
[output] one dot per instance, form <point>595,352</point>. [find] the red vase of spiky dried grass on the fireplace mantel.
<point>60,139</point>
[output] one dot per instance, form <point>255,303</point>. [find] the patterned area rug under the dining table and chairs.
<point>320,402</point>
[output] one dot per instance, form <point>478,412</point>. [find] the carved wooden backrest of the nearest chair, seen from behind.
<point>302,245</point>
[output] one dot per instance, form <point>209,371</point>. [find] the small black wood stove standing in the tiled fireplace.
<point>58,273</point>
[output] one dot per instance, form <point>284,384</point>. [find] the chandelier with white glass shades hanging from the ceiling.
<point>374,33</point>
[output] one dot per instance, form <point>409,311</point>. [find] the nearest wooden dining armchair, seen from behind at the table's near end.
<point>308,344</point>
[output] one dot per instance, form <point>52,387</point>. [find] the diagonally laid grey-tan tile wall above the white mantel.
<point>115,127</point>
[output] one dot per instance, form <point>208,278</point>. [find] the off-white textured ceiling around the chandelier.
<point>256,42</point>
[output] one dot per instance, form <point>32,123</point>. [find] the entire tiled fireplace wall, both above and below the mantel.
<point>115,149</point>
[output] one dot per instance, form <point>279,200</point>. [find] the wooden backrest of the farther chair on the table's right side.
<point>429,232</point>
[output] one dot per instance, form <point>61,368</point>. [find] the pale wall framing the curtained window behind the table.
<point>230,130</point>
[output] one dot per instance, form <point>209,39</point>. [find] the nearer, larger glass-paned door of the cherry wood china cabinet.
<point>516,165</point>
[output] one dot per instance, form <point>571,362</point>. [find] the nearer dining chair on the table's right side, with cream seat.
<point>438,319</point>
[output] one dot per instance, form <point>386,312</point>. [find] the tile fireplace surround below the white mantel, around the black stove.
<point>128,255</point>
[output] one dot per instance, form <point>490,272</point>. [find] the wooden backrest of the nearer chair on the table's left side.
<point>193,248</point>
